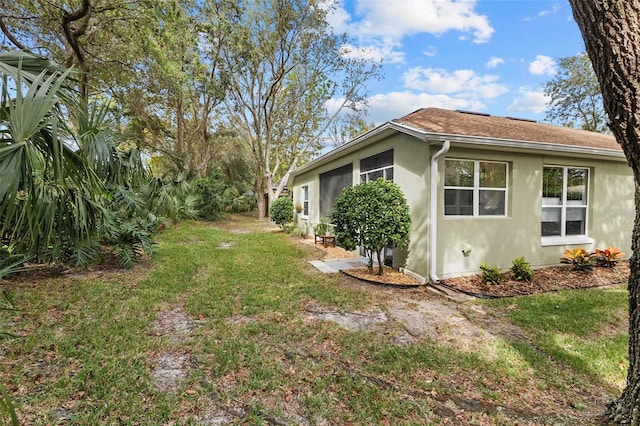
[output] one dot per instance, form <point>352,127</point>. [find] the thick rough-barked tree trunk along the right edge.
<point>612,38</point>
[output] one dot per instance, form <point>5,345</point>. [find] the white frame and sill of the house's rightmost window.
<point>561,240</point>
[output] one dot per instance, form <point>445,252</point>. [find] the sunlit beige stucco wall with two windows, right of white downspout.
<point>499,240</point>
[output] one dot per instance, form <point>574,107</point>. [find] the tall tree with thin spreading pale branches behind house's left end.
<point>284,63</point>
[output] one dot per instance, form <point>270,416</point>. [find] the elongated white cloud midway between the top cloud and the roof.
<point>460,82</point>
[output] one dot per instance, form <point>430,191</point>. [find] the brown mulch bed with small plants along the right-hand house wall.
<point>545,280</point>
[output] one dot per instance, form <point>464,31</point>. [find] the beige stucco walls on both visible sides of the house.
<point>495,240</point>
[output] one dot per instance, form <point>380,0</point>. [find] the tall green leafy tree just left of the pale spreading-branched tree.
<point>180,84</point>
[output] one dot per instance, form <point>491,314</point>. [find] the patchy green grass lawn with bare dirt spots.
<point>223,327</point>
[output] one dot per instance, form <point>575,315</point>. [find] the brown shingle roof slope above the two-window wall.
<point>473,124</point>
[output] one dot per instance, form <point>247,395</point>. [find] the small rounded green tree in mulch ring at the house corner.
<point>372,215</point>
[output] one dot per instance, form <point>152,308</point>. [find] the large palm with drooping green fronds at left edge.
<point>49,198</point>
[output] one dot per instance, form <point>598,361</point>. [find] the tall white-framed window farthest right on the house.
<point>565,204</point>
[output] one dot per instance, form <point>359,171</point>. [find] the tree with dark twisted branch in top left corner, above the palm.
<point>95,36</point>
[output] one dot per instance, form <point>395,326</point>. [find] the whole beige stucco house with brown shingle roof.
<point>483,188</point>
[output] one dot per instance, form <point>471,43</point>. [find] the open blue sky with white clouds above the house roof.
<point>489,56</point>
